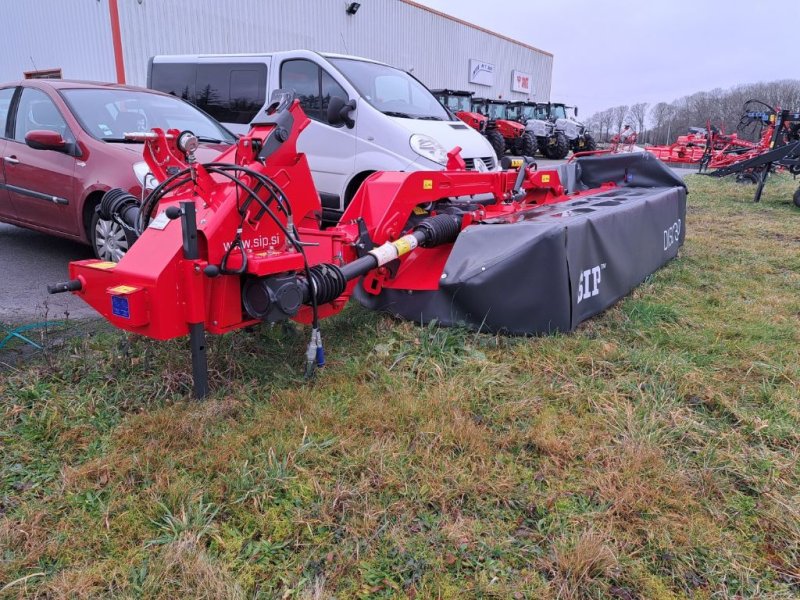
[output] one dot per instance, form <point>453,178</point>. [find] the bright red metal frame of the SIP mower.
<point>164,292</point>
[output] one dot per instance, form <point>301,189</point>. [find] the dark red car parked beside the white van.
<point>62,146</point>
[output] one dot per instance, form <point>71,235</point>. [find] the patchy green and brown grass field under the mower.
<point>652,454</point>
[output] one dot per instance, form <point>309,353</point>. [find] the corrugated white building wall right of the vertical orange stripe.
<point>435,48</point>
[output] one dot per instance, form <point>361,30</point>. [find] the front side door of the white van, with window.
<point>330,149</point>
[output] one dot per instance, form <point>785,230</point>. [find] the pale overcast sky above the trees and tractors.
<point>611,52</point>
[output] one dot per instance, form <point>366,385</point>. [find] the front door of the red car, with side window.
<point>40,183</point>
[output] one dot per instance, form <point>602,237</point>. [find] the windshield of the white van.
<point>391,91</point>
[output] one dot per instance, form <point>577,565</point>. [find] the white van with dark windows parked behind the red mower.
<point>386,121</point>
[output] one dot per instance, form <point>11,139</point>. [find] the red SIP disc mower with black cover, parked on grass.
<point>236,242</point>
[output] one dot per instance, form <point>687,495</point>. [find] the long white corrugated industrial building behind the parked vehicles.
<point>113,40</point>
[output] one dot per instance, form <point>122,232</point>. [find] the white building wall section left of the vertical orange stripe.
<point>74,35</point>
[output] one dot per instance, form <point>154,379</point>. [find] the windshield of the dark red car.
<point>108,114</point>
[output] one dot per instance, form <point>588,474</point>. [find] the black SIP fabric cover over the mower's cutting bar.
<point>549,268</point>
